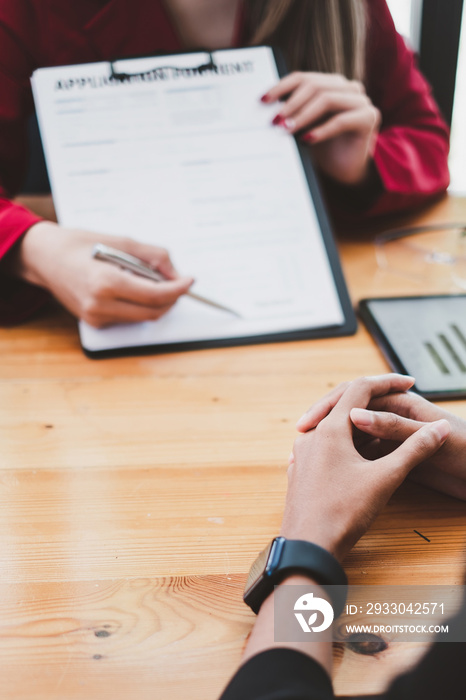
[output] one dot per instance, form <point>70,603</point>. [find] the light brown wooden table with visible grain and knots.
<point>136,492</point>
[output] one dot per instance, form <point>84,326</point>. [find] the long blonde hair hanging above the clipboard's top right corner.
<point>328,36</point>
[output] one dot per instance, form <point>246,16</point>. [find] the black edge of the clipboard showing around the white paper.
<point>349,325</point>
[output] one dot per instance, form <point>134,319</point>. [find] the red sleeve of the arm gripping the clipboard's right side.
<point>411,155</point>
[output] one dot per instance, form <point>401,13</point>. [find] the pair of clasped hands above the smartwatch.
<point>358,444</point>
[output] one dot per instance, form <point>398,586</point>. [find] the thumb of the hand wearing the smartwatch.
<point>417,448</point>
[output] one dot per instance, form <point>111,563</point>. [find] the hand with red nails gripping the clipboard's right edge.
<point>335,116</point>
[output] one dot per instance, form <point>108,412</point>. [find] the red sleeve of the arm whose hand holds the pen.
<point>17,48</point>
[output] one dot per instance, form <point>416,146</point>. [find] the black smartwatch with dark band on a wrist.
<point>283,558</point>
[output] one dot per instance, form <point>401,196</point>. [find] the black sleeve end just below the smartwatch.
<point>280,674</point>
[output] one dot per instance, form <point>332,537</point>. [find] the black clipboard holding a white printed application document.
<point>301,292</point>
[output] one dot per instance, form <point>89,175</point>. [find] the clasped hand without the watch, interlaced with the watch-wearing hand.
<point>390,418</point>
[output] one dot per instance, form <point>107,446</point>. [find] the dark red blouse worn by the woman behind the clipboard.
<point>411,152</point>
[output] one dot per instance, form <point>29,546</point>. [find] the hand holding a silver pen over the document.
<point>61,261</point>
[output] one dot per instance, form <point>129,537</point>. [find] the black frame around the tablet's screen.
<point>387,350</point>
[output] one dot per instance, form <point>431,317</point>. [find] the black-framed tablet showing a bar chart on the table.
<point>424,337</point>
